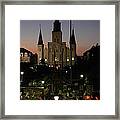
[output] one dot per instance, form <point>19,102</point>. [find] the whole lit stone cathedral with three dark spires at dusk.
<point>57,54</point>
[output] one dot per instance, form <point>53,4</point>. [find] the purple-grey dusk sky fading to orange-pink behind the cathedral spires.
<point>87,33</point>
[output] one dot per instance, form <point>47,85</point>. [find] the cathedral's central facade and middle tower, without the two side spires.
<point>57,48</point>
